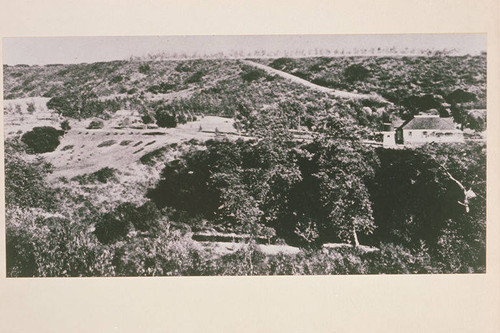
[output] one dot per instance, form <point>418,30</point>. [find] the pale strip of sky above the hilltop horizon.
<point>67,50</point>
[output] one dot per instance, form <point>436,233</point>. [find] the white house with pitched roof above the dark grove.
<point>422,129</point>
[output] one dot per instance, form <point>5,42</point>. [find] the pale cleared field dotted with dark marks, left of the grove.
<point>92,150</point>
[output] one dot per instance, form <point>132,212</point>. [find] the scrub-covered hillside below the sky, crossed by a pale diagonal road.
<point>454,85</point>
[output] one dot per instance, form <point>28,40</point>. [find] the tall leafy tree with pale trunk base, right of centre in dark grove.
<point>344,164</point>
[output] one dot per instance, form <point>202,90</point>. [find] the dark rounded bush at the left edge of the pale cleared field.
<point>42,139</point>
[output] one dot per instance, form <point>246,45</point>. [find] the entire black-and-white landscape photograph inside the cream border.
<point>245,155</point>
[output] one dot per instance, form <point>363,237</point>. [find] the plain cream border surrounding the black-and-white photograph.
<point>458,303</point>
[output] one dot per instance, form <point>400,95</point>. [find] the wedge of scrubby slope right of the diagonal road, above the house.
<point>395,77</point>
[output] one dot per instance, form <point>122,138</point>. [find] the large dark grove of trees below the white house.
<point>335,189</point>
